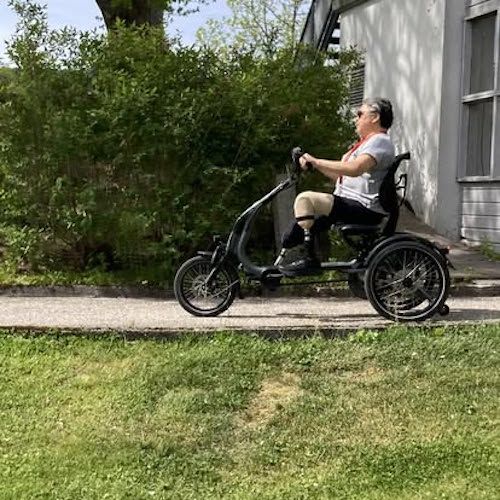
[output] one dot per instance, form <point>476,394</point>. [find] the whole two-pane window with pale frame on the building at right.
<point>482,95</point>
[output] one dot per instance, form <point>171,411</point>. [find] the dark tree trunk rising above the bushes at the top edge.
<point>139,12</point>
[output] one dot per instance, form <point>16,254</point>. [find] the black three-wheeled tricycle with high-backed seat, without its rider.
<point>404,276</point>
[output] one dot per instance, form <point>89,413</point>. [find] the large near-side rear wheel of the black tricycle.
<point>407,281</point>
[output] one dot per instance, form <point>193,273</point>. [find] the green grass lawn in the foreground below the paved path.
<point>402,414</point>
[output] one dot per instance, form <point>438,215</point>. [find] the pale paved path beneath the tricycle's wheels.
<point>153,316</point>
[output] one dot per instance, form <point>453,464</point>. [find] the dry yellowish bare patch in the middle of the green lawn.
<point>274,395</point>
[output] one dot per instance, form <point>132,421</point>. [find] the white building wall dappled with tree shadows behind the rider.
<point>403,43</point>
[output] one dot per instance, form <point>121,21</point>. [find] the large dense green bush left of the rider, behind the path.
<point>124,151</point>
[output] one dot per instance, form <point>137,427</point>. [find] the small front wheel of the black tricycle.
<point>202,299</point>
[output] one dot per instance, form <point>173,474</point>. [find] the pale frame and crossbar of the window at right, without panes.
<point>474,12</point>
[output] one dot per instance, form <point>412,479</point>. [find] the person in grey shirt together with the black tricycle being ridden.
<point>404,276</point>
